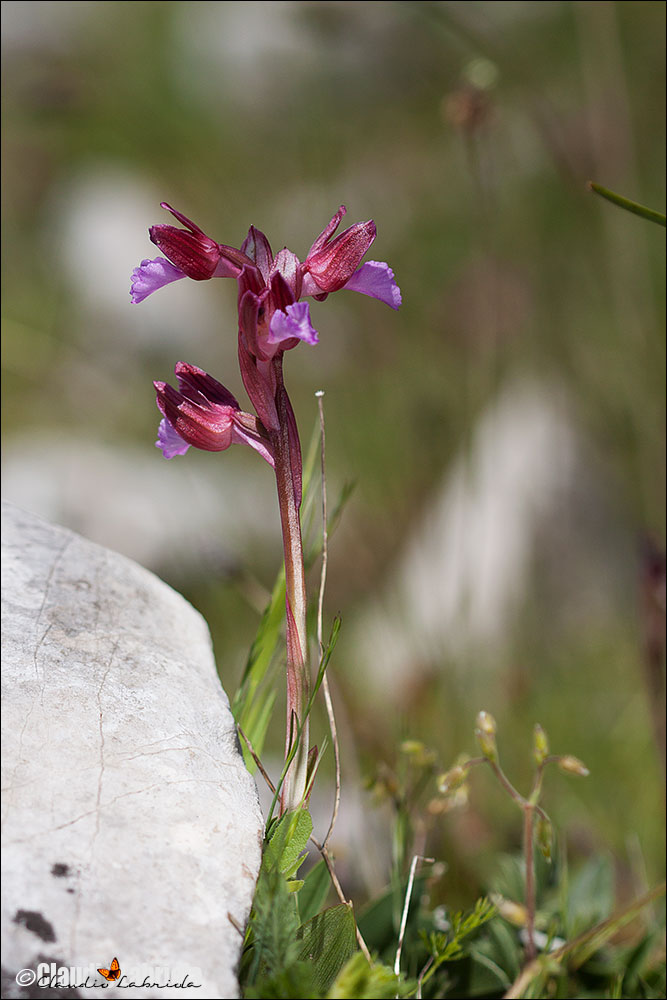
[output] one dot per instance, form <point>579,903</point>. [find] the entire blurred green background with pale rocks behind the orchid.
<point>503,547</point>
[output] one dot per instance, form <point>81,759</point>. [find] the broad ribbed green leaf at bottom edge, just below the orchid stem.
<point>328,941</point>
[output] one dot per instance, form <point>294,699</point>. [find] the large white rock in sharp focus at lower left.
<point>131,827</point>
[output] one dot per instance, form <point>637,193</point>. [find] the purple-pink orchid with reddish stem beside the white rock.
<point>202,413</point>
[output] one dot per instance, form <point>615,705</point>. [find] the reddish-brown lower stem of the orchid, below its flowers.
<point>287,454</point>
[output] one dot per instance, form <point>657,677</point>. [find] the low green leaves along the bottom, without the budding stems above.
<point>294,949</point>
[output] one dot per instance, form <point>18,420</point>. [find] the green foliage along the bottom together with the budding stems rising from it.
<point>296,949</point>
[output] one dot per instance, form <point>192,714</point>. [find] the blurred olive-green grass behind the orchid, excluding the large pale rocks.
<point>274,114</point>
